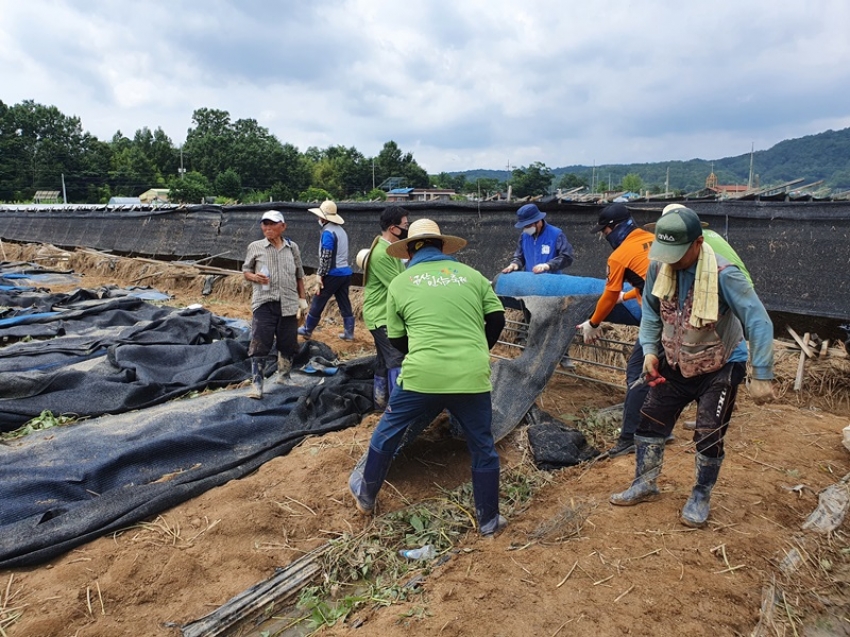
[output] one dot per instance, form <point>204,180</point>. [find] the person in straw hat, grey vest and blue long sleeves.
<point>334,273</point>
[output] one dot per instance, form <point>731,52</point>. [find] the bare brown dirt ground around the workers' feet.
<point>620,571</point>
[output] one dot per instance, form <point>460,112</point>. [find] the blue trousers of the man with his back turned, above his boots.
<point>474,412</point>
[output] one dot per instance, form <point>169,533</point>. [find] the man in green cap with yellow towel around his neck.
<point>699,311</point>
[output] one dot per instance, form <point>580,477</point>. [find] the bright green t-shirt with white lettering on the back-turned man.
<point>440,306</point>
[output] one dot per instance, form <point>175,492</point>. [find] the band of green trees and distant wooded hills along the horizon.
<point>240,161</point>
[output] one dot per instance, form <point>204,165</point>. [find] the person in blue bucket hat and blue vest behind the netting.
<point>541,247</point>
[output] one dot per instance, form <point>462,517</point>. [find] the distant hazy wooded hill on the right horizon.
<point>823,156</point>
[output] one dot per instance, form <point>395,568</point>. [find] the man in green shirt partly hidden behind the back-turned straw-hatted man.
<point>379,269</point>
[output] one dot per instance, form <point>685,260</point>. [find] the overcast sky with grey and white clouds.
<point>461,84</point>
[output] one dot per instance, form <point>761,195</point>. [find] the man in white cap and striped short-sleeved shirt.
<point>273,266</point>
